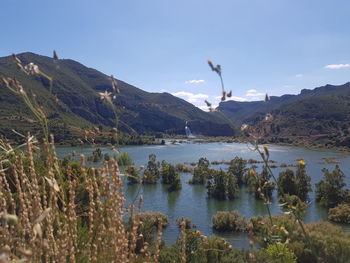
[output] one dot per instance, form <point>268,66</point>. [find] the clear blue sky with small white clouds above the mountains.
<point>263,46</point>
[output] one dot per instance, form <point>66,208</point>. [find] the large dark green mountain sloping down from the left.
<point>72,103</point>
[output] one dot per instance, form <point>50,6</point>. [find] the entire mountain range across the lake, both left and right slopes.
<point>73,104</point>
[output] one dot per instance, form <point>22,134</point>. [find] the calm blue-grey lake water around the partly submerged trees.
<point>192,200</point>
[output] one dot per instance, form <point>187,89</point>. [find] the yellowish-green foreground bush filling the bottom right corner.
<point>325,242</point>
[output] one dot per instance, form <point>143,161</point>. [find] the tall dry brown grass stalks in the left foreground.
<point>51,213</point>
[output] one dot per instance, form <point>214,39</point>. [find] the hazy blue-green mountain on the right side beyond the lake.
<point>320,116</point>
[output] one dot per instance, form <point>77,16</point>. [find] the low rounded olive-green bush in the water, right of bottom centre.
<point>224,221</point>
